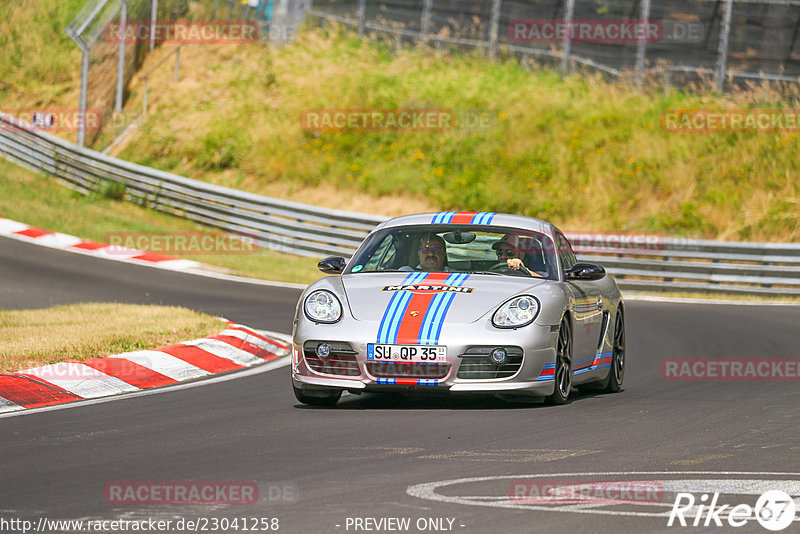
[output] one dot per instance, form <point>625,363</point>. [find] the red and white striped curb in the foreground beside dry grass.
<point>235,348</point>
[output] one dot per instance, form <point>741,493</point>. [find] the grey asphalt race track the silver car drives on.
<point>318,467</point>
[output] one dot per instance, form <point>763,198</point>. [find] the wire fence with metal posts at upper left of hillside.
<point>115,37</point>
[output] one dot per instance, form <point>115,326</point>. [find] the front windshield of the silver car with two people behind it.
<point>464,248</point>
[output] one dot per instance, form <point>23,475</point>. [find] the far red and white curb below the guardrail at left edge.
<point>58,240</point>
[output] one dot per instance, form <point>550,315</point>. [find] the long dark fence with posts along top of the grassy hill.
<point>724,41</point>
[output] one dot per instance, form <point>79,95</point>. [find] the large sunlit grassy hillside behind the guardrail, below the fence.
<point>586,153</point>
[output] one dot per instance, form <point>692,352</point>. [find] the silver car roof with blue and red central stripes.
<point>470,217</point>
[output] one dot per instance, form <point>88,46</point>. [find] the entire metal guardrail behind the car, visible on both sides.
<point>671,264</point>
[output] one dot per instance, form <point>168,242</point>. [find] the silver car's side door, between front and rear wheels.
<point>587,308</point>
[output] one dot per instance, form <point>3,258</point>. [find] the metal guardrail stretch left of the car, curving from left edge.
<point>272,223</point>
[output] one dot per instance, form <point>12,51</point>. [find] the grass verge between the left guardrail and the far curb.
<point>40,201</point>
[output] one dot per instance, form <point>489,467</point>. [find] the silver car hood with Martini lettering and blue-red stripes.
<point>470,296</point>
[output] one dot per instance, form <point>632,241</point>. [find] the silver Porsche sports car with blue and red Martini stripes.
<point>459,302</point>
